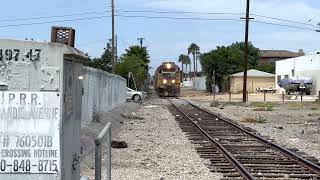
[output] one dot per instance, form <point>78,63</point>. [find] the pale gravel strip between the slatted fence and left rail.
<point>157,149</point>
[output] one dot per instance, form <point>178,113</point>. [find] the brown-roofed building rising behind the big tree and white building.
<point>270,56</point>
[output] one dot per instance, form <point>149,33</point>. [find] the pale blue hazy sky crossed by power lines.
<point>165,38</point>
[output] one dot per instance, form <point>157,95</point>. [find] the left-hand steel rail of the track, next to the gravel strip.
<point>242,170</point>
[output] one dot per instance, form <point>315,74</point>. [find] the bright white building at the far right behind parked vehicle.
<point>303,66</point>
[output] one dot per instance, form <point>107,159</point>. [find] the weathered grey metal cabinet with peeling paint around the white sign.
<point>49,73</point>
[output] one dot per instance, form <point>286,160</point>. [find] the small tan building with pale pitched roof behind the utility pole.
<point>256,79</point>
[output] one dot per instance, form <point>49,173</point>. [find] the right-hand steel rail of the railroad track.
<point>304,162</point>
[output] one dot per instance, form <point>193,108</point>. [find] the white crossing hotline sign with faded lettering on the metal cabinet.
<point>29,132</point>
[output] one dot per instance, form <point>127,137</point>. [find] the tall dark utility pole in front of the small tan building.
<point>246,49</point>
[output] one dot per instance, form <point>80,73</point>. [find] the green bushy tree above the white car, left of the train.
<point>135,60</point>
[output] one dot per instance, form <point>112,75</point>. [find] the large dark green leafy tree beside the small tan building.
<point>225,61</point>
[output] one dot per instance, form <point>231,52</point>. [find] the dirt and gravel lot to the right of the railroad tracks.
<point>290,124</point>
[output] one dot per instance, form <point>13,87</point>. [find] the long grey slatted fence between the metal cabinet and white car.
<point>101,93</point>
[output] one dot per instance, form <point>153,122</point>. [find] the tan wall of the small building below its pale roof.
<point>252,85</point>
